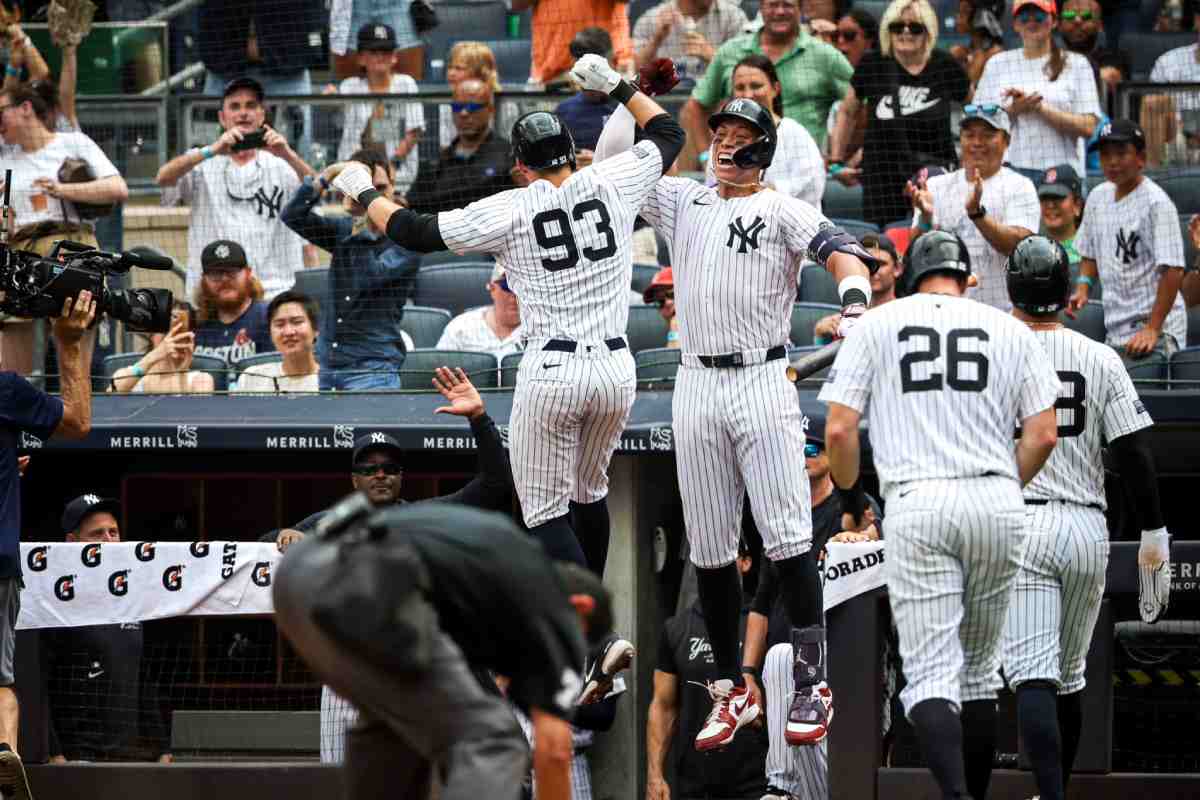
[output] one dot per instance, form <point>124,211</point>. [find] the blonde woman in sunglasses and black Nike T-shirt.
<point>908,89</point>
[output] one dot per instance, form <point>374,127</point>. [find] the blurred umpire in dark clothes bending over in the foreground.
<point>399,609</point>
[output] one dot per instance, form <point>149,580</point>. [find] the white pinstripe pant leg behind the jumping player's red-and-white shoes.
<point>801,772</point>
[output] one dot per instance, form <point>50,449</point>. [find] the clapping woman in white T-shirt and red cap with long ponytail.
<point>1049,93</point>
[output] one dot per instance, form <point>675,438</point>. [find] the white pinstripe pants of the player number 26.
<point>953,555</point>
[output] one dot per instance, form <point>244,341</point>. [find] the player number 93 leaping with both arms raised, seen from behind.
<point>565,242</point>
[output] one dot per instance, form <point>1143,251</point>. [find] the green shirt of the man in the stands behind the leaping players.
<point>814,76</point>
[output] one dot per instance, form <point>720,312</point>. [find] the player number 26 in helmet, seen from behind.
<point>941,380</point>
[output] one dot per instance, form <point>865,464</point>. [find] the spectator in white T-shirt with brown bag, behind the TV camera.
<point>46,209</point>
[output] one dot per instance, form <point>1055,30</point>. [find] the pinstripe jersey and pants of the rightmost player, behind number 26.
<point>1058,594</point>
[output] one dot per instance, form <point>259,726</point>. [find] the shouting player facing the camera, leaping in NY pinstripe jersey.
<point>737,254</point>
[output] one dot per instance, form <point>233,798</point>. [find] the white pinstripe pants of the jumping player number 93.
<point>569,411</point>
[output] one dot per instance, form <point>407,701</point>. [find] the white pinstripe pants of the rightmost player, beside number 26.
<point>1058,596</point>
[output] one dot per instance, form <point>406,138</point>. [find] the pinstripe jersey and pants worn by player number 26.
<point>941,381</point>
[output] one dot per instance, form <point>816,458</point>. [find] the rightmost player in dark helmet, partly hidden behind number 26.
<point>1058,593</point>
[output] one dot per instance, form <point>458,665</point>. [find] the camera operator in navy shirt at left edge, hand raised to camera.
<point>25,410</point>
